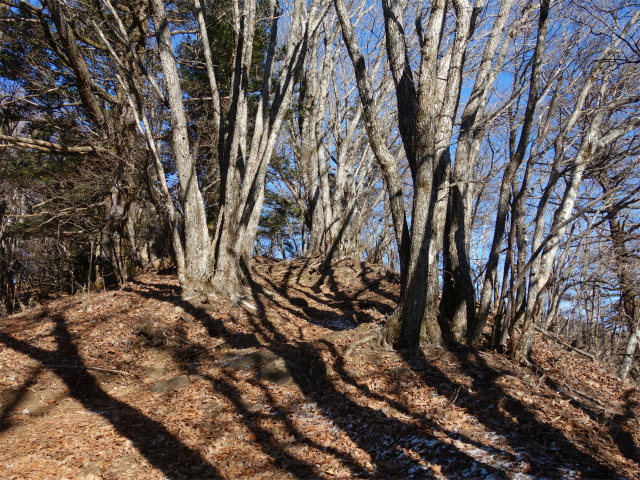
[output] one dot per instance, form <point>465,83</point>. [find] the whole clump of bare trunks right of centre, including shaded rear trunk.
<point>427,120</point>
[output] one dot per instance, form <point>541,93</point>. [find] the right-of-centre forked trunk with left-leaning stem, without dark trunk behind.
<point>426,125</point>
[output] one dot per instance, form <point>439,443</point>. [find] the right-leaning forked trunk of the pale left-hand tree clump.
<point>243,192</point>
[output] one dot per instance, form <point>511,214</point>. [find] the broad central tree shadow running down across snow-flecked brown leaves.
<point>378,433</point>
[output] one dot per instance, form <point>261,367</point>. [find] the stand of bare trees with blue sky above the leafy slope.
<point>487,150</point>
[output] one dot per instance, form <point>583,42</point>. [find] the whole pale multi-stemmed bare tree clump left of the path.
<point>243,167</point>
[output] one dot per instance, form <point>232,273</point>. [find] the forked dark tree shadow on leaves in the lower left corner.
<point>173,458</point>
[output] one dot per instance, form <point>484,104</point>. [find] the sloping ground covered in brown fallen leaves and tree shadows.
<point>139,383</point>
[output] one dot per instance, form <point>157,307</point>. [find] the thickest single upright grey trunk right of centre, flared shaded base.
<point>437,102</point>
